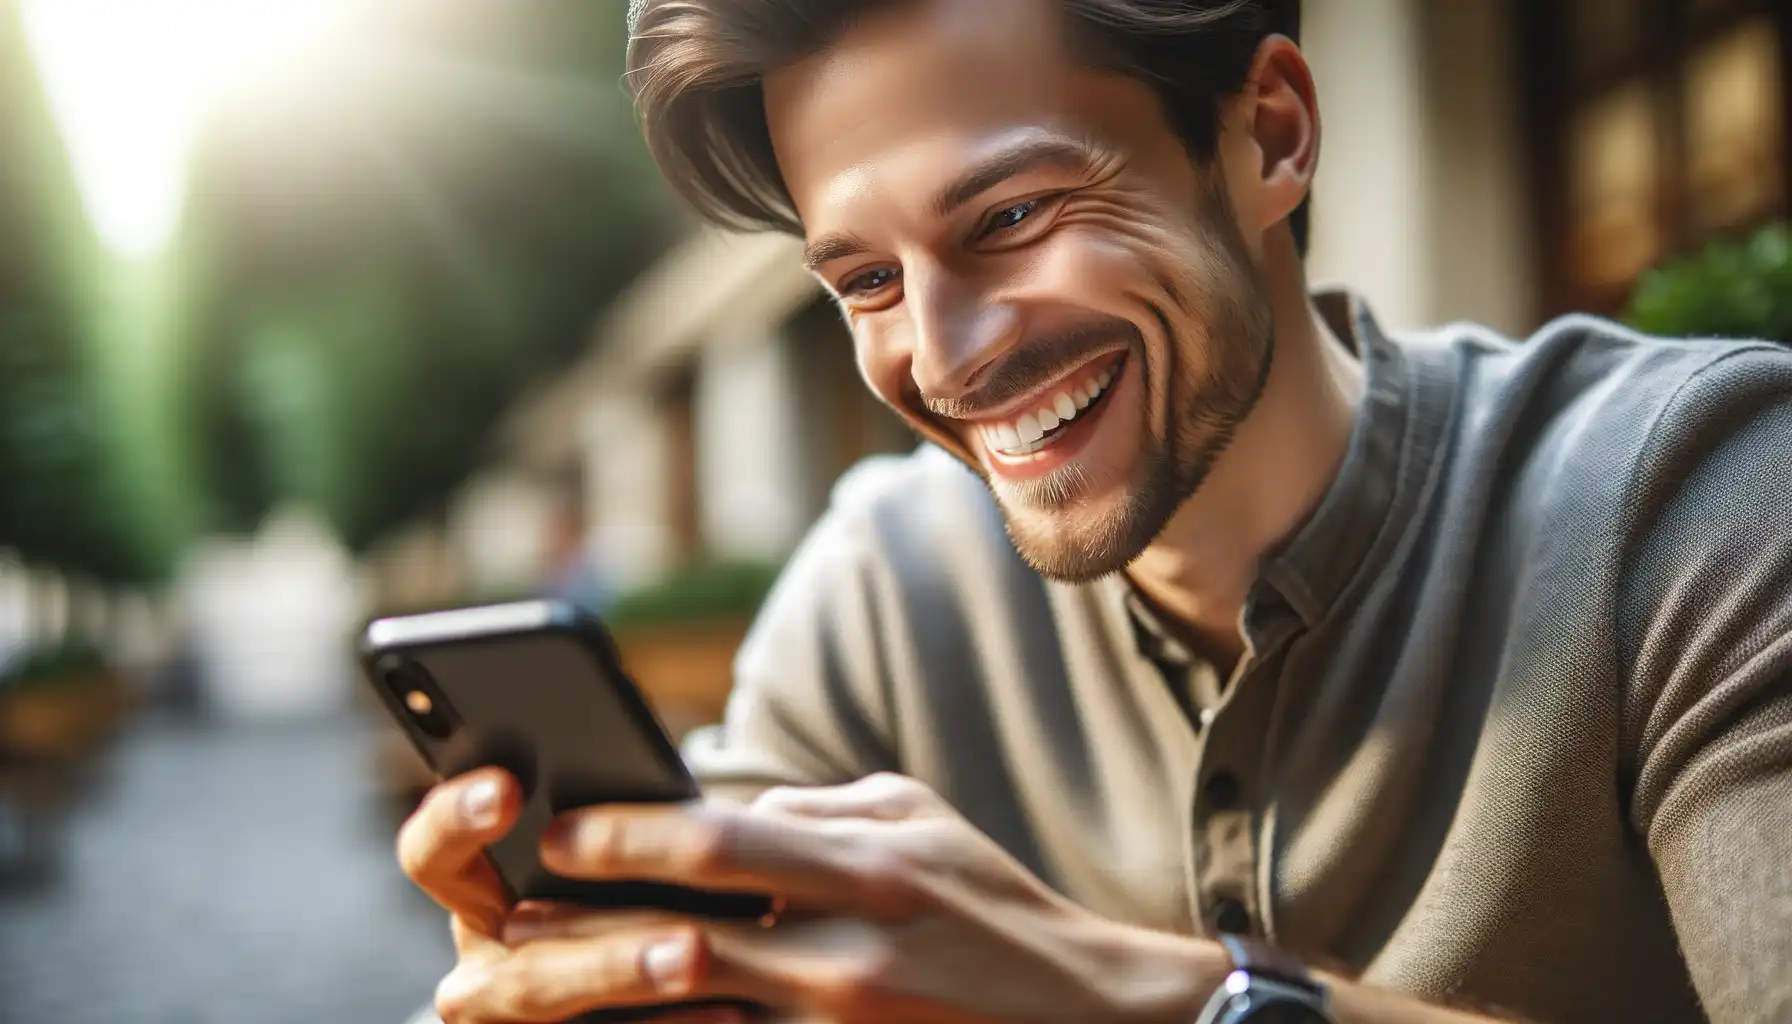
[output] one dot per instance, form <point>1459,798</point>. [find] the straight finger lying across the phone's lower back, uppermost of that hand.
<point>809,863</point>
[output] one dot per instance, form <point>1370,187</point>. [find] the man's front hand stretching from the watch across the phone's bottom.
<point>897,910</point>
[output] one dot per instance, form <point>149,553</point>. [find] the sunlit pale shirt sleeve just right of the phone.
<point>811,700</point>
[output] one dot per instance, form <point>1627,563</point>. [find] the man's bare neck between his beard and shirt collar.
<point>1270,480</point>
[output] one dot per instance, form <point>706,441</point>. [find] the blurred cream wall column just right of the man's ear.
<point>1420,200</point>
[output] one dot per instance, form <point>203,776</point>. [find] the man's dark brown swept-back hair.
<point>696,69</point>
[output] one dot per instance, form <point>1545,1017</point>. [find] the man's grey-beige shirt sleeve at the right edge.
<point>1707,620</point>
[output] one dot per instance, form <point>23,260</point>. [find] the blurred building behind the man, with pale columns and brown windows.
<point>1492,161</point>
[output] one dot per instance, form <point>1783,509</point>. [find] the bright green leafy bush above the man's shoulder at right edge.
<point>1730,290</point>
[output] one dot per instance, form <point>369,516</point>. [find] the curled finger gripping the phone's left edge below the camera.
<point>442,847</point>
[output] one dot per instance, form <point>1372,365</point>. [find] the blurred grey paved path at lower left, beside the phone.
<point>225,876</point>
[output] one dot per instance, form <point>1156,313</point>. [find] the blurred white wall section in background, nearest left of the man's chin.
<point>750,464</point>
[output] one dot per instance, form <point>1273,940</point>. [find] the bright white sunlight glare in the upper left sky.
<point>130,83</point>
